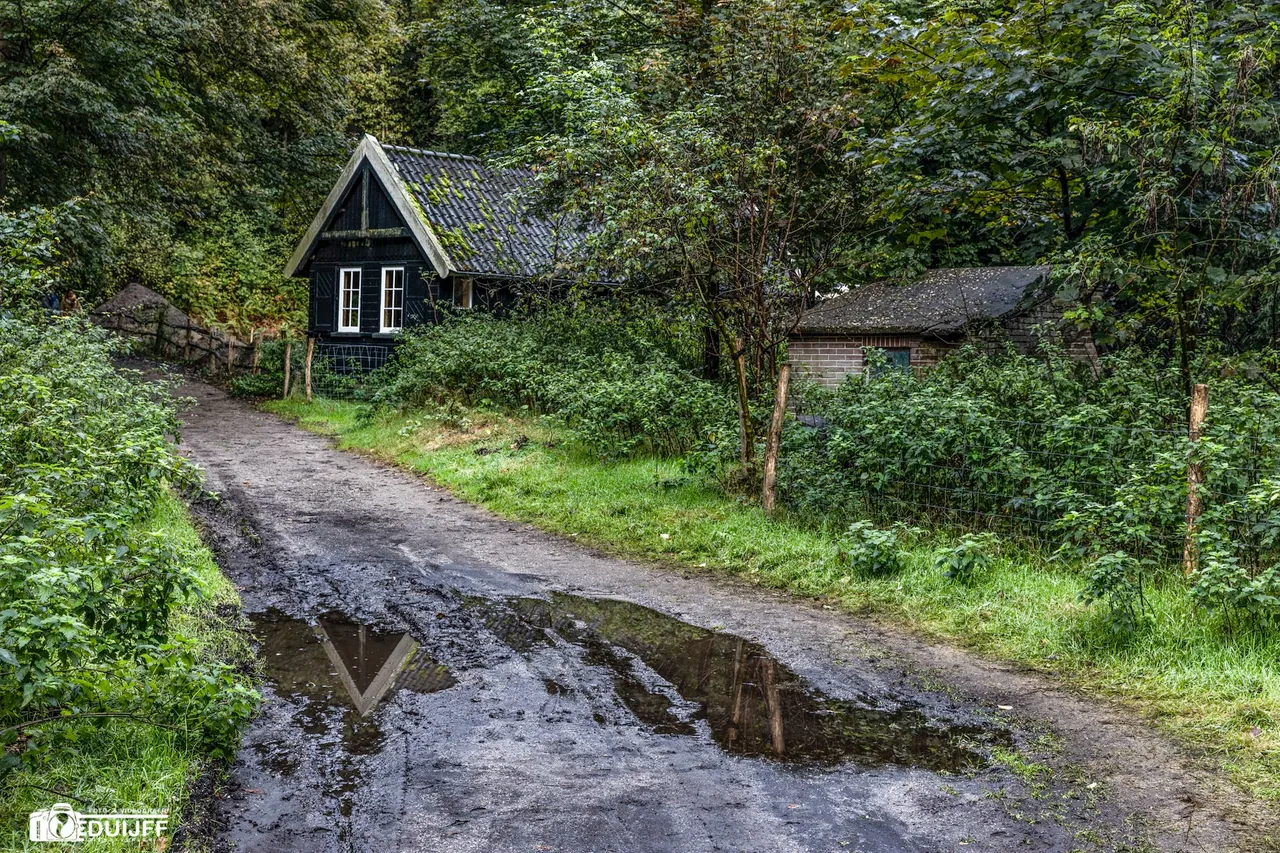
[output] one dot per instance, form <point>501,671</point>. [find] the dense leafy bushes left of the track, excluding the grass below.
<point>88,599</point>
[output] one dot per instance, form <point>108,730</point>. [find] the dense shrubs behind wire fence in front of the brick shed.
<point>1040,446</point>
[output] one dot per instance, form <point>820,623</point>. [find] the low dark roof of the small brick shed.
<point>940,303</point>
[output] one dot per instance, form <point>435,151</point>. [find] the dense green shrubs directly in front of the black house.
<point>616,385</point>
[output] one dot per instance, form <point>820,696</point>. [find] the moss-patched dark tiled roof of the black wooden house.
<point>465,217</point>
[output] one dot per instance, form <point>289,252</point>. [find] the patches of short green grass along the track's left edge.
<point>120,765</point>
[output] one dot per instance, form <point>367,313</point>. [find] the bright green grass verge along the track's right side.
<point>1220,695</point>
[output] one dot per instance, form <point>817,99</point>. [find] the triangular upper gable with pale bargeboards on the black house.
<point>369,200</point>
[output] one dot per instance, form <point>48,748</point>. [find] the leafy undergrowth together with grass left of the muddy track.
<point>107,633</point>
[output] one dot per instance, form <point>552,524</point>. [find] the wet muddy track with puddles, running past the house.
<point>442,679</point>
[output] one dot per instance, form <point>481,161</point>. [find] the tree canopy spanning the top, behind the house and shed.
<point>742,156</point>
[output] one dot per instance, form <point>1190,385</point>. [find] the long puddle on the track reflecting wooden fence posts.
<point>753,705</point>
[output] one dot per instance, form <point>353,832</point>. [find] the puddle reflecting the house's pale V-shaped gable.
<point>341,672</point>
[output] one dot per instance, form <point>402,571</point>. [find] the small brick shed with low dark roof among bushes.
<point>917,323</point>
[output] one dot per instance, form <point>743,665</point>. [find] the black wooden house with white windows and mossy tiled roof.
<point>406,235</point>
